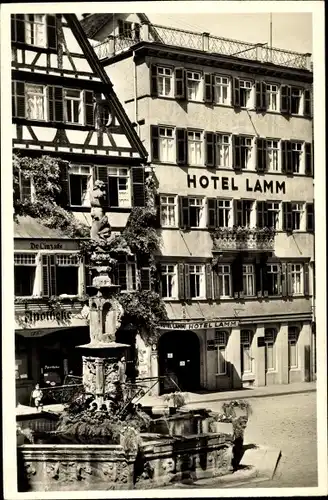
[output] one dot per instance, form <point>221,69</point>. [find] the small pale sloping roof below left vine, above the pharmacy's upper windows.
<point>27,227</point>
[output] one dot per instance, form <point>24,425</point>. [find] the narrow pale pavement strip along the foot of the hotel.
<point>256,392</point>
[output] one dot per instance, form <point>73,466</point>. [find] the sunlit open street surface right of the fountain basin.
<point>288,423</point>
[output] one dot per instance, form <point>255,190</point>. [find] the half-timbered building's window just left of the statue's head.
<point>79,185</point>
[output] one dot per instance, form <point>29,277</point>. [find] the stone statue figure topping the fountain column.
<point>100,228</point>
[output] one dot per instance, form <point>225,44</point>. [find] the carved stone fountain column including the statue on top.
<point>103,363</point>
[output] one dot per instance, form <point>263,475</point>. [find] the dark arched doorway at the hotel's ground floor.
<point>179,359</point>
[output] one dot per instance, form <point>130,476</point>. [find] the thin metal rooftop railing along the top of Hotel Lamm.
<point>203,42</point>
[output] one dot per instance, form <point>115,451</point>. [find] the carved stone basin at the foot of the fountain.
<point>178,448</point>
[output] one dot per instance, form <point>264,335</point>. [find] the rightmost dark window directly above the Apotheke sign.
<point>67,267</point>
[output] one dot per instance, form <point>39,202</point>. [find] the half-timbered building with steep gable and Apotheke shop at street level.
<point>64,106</point>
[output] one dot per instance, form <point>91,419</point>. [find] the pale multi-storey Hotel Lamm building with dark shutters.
<point>229,128</point>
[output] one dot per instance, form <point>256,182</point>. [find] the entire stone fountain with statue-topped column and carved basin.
<point>116,449</point>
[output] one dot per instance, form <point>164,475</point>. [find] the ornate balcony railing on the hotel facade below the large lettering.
<point>243,239</point>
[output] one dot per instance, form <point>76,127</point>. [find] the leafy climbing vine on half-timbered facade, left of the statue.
<point>44,203</point>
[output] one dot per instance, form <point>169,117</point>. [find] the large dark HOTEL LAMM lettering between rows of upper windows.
<point>229,184</point>
